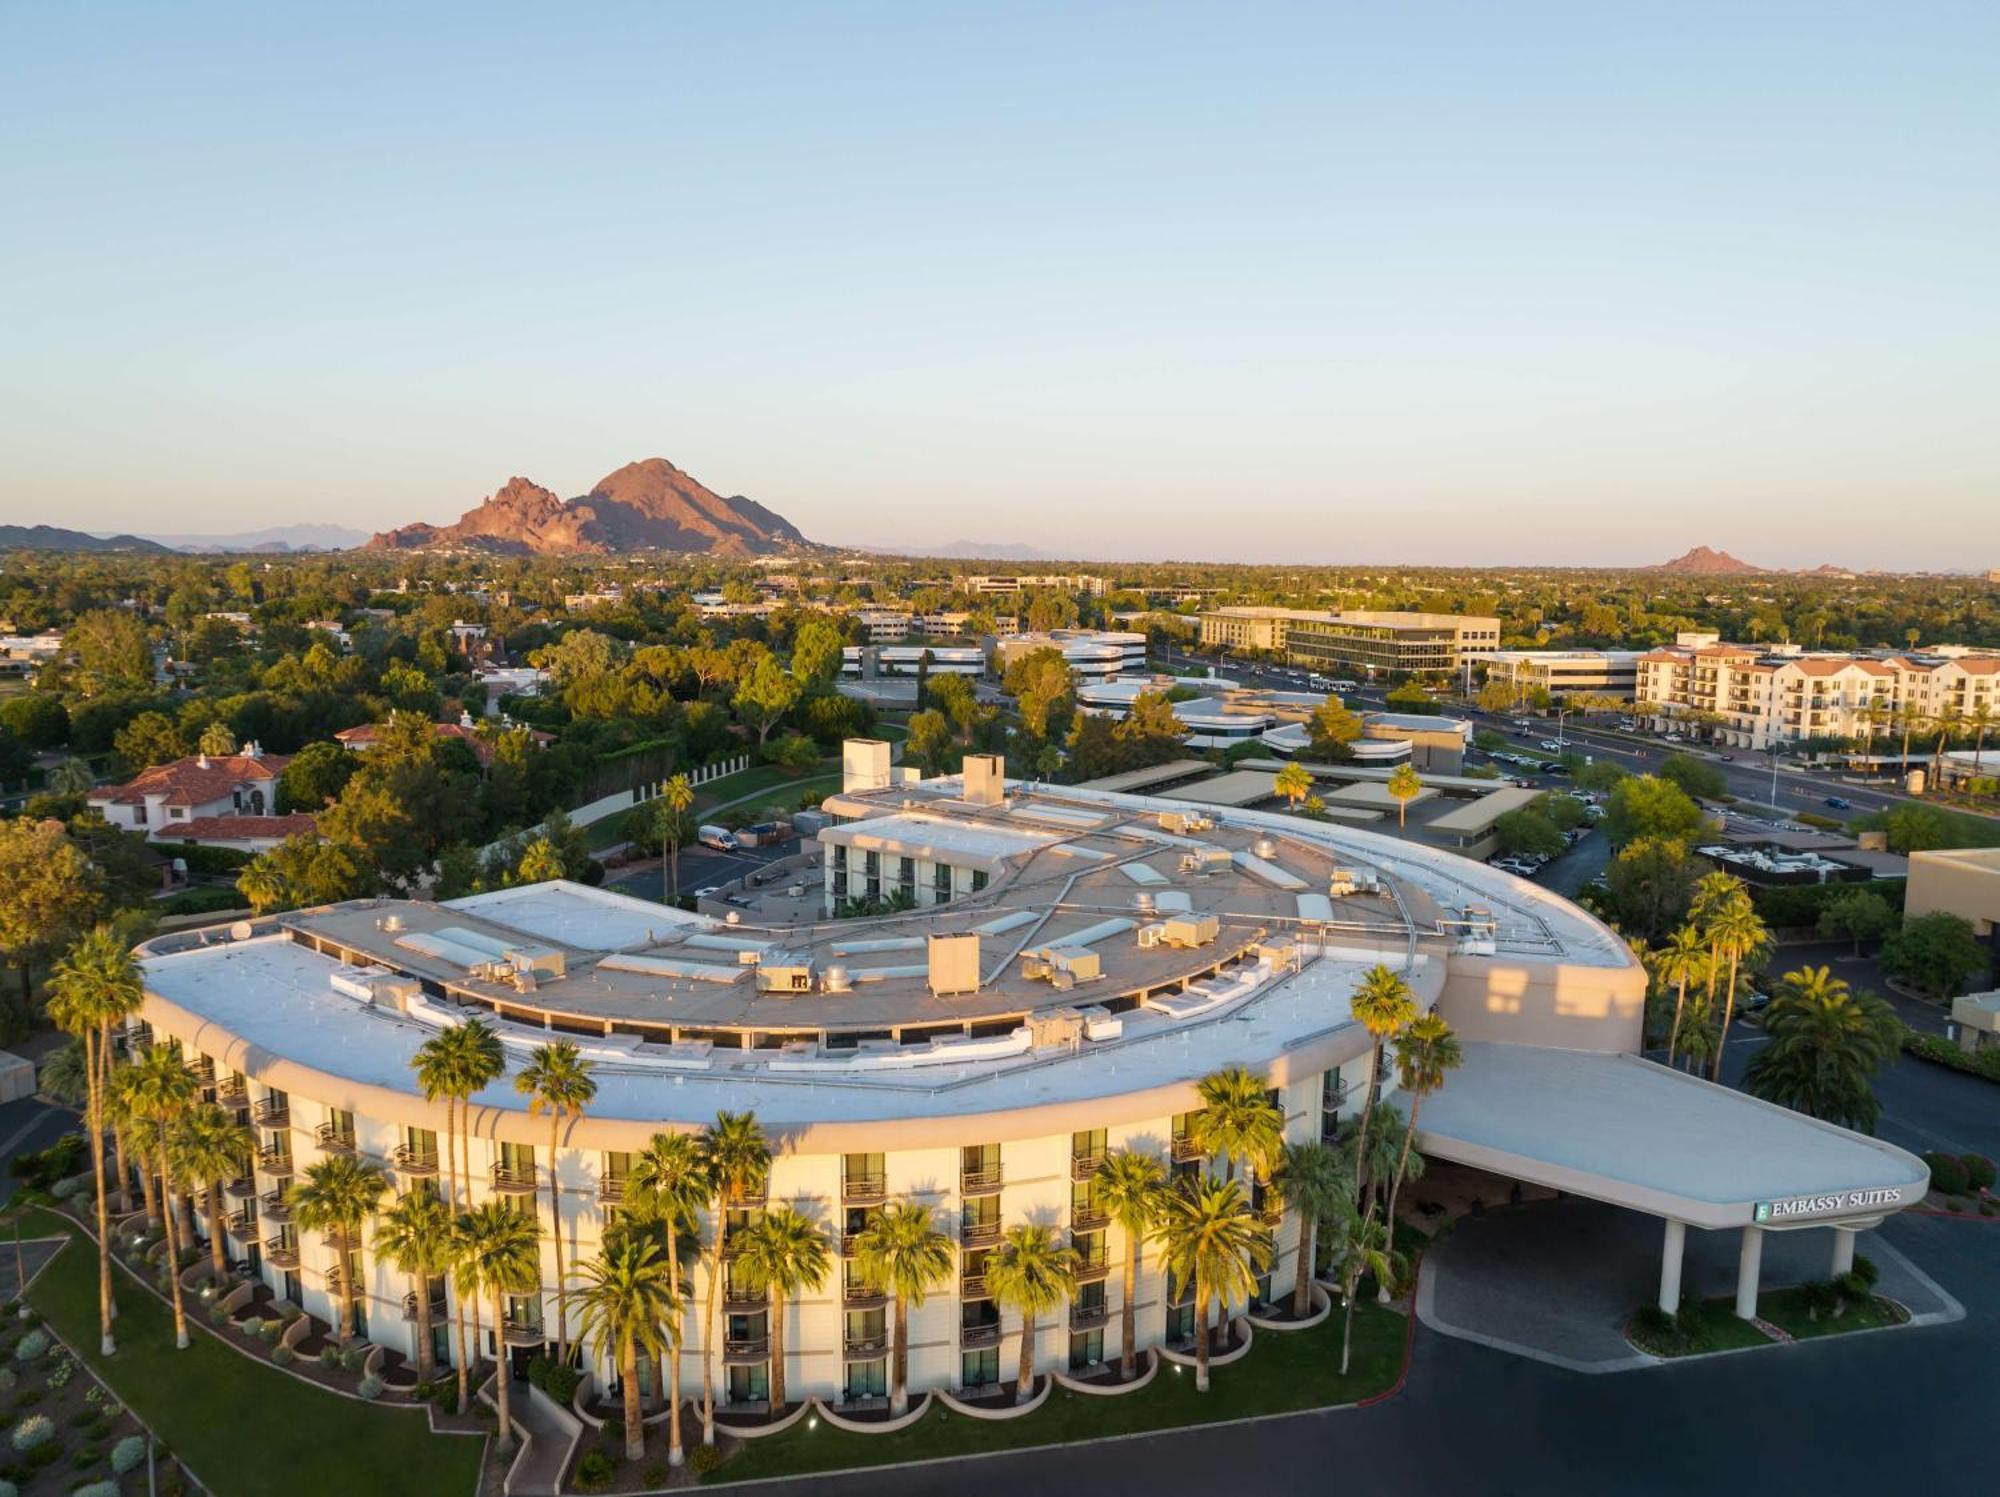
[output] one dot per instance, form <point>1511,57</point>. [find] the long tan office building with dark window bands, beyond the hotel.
<point>1357,641</point>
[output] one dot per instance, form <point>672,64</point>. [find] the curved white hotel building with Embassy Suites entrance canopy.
<point>1075,964</point>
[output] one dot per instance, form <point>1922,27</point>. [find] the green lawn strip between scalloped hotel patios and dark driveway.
<point>1285,1372</point>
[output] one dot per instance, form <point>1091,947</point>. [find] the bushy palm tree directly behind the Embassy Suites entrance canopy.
<point>1825,1048</point>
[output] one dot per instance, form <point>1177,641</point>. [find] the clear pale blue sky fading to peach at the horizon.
<point>1327,283</point>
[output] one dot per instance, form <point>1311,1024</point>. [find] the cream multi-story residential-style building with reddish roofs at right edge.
<point>1761,695</point>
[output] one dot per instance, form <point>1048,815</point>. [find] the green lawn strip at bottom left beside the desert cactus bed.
<point>245,1428</point>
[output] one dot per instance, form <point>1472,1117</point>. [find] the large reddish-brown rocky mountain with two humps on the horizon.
<point>647,505</point>
